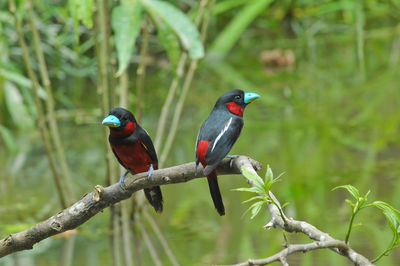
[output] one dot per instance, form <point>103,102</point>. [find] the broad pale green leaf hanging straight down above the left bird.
<point>125,21</point>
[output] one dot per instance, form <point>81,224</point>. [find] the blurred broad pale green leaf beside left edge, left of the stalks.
<point>16,107</point>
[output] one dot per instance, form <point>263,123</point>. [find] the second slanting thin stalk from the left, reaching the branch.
<point>54,132</point>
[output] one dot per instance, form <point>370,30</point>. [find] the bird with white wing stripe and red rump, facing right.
<point>217,135</point>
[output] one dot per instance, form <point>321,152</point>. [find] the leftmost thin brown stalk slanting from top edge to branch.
<point>41,117</point>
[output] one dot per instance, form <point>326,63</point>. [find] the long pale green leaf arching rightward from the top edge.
<point>180,23</point>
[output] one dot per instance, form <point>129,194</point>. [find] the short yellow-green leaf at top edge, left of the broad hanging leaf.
<point>81,10</point>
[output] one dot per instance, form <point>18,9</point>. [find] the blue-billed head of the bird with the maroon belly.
<point>119,119</point>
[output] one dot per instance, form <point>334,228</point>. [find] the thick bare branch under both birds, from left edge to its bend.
<point>92,203</point>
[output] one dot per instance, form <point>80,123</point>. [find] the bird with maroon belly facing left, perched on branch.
<point>134,150</point>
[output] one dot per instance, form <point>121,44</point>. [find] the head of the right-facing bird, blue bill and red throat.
<point>236,100</point>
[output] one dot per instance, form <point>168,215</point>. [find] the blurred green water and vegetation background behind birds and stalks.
<point>329,115</point>
